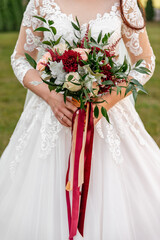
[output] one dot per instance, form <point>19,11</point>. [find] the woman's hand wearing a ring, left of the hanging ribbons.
<point>63,111</point>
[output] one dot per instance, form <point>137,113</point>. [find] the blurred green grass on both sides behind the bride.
<point>12,94</point>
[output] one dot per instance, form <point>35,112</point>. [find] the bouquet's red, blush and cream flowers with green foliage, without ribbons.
<point>84,70</point>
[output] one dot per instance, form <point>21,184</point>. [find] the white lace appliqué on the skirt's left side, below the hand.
<point>31,119</point>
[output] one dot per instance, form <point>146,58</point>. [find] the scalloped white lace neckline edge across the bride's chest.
<point>98,15</point>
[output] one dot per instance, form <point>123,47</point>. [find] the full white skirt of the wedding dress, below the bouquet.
<point>124,192</point>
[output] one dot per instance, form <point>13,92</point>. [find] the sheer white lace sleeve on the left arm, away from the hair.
<point>27,41</point>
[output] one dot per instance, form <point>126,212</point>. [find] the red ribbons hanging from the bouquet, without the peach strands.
<point>77,216</point>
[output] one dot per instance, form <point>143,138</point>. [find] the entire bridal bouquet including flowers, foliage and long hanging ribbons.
<point>84,70</point>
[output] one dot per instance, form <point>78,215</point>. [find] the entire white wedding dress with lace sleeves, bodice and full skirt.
<point>124,192</point>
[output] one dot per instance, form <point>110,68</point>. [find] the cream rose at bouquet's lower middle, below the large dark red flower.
<point>69,84</point>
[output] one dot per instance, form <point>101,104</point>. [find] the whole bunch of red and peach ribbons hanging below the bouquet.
<point>79,167</point>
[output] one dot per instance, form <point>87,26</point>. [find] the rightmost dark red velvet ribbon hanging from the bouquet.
<point>87,169</point>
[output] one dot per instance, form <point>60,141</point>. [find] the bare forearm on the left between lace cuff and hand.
<point>41,90</point>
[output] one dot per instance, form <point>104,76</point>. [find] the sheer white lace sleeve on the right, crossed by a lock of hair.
<point>136,41</point>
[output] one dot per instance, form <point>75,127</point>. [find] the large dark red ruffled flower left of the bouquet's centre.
<point>70,60</point>
